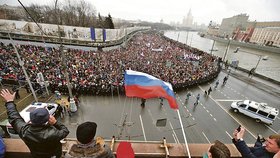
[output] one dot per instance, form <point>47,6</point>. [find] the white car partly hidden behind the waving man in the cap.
<point>51,107</point>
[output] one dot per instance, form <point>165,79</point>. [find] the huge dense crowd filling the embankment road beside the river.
<point>101,72</point>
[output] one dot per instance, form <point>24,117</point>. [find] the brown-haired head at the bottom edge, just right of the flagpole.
<point>217,150</point>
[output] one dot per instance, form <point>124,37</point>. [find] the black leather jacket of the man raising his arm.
<point>43,140</point>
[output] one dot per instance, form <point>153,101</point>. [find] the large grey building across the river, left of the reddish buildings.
<point>229,25</point>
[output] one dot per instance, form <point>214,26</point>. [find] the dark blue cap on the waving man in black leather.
<point>39,116</point>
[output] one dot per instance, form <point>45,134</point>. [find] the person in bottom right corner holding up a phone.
<point>268,150</point>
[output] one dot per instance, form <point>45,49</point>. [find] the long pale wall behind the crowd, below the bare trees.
<point>70,32</point>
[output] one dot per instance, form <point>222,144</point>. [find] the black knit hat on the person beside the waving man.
<point>86,132</point>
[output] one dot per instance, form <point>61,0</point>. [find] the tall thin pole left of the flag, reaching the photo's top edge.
<point>73,107</point>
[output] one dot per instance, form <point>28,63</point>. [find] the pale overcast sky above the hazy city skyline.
<point>203,11</point>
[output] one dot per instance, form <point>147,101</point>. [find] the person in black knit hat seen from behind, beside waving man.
<point>87,146</point>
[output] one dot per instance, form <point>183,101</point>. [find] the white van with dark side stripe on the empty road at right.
<point>261,112</point>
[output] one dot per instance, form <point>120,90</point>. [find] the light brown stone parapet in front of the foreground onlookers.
<point>17,149</point>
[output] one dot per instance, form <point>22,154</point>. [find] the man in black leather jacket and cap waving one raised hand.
<point>42,135</point>
